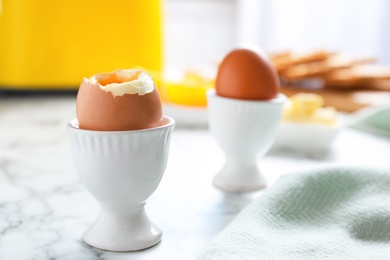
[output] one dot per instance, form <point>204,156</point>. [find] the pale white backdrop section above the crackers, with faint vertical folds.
<point>355,27</point>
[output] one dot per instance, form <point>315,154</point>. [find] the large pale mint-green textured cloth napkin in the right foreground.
<point>328,213</point>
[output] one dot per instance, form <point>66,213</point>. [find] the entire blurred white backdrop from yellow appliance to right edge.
<point>200,31</point>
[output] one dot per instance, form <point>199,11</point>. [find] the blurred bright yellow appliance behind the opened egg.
<point>53,44</point>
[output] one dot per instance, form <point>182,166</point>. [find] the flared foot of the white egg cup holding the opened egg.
<point>123,232</point>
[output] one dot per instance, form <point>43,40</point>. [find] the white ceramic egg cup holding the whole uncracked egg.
<point>245,131</point>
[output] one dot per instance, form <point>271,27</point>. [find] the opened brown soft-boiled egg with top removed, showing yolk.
<point>103,103</point>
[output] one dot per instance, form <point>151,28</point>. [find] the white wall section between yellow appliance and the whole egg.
<point>198,32</point>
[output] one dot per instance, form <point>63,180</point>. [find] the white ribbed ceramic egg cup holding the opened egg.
<point>121,169</point>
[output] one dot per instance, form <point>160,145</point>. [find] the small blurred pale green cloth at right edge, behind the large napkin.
<point>373,119</point>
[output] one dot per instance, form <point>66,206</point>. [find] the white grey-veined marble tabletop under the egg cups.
<point>44,208</point>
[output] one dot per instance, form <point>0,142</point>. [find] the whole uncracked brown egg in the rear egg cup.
<point>247,74</point>
